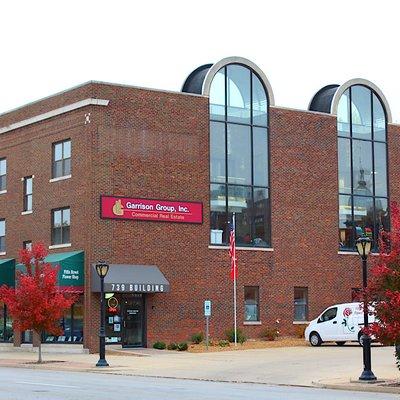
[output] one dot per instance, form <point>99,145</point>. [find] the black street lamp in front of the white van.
<point>363,245</point>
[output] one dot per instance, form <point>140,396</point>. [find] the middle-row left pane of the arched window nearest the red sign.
<point>217,152</point>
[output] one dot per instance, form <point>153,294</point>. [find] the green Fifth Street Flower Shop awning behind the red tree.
<point>71,270</point>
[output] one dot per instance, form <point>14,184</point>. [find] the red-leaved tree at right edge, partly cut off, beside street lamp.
<point>384,286</point>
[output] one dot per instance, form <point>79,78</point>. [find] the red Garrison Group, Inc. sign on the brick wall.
<point>151,210</point>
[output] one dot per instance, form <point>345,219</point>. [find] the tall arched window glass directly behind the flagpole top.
<point>239,176</point>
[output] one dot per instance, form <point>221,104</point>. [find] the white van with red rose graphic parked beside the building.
<point>339,323</point>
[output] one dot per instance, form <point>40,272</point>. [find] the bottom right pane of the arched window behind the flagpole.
<point>261,218</point>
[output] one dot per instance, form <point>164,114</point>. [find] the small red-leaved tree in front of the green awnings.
<point>36,303</point>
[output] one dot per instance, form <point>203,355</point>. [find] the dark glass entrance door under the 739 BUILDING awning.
<point>133,320</point>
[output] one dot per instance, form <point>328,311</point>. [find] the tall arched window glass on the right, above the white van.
<point>362,165</point>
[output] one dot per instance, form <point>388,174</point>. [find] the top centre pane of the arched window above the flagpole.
<point>238,93</point>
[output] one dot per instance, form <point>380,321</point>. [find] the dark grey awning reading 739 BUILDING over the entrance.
<point>126,278</point>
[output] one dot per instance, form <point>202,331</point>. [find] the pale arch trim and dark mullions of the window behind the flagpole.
<point>254,71</point>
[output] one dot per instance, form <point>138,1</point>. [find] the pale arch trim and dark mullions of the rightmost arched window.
<point>374,91</point>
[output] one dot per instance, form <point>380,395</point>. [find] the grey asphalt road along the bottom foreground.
<point>26,384</point>
